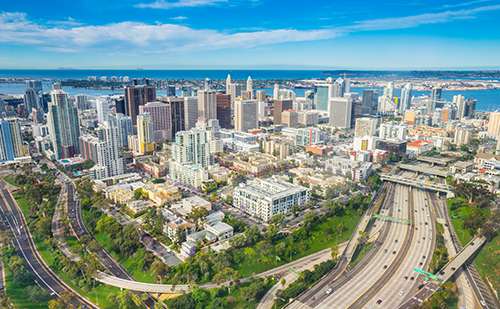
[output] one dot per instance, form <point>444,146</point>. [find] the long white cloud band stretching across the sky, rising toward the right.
<point>135,38</point>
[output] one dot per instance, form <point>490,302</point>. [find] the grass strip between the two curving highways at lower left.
<point>102,290</point>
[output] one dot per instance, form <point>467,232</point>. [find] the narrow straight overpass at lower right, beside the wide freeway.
<point>445,274</point>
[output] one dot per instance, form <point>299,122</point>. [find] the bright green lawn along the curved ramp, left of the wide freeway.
<point>316,242</point>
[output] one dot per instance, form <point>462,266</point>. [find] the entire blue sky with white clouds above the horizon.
<point>250,34</point>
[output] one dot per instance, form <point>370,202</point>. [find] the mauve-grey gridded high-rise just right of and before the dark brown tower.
<point>162,121</point>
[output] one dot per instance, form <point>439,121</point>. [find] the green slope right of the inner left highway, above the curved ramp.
<point>130,264</point>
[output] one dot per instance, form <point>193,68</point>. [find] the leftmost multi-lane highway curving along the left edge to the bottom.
<point>26,249</point>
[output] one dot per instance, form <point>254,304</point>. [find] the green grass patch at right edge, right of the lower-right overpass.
<point>488,263</point>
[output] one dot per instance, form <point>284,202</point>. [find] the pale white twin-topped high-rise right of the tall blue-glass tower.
<point>104,151</point>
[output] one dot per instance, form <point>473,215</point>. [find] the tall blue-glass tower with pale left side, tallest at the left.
<point>63,125</point>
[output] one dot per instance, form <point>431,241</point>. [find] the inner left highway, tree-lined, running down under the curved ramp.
<point>105,258</point>
